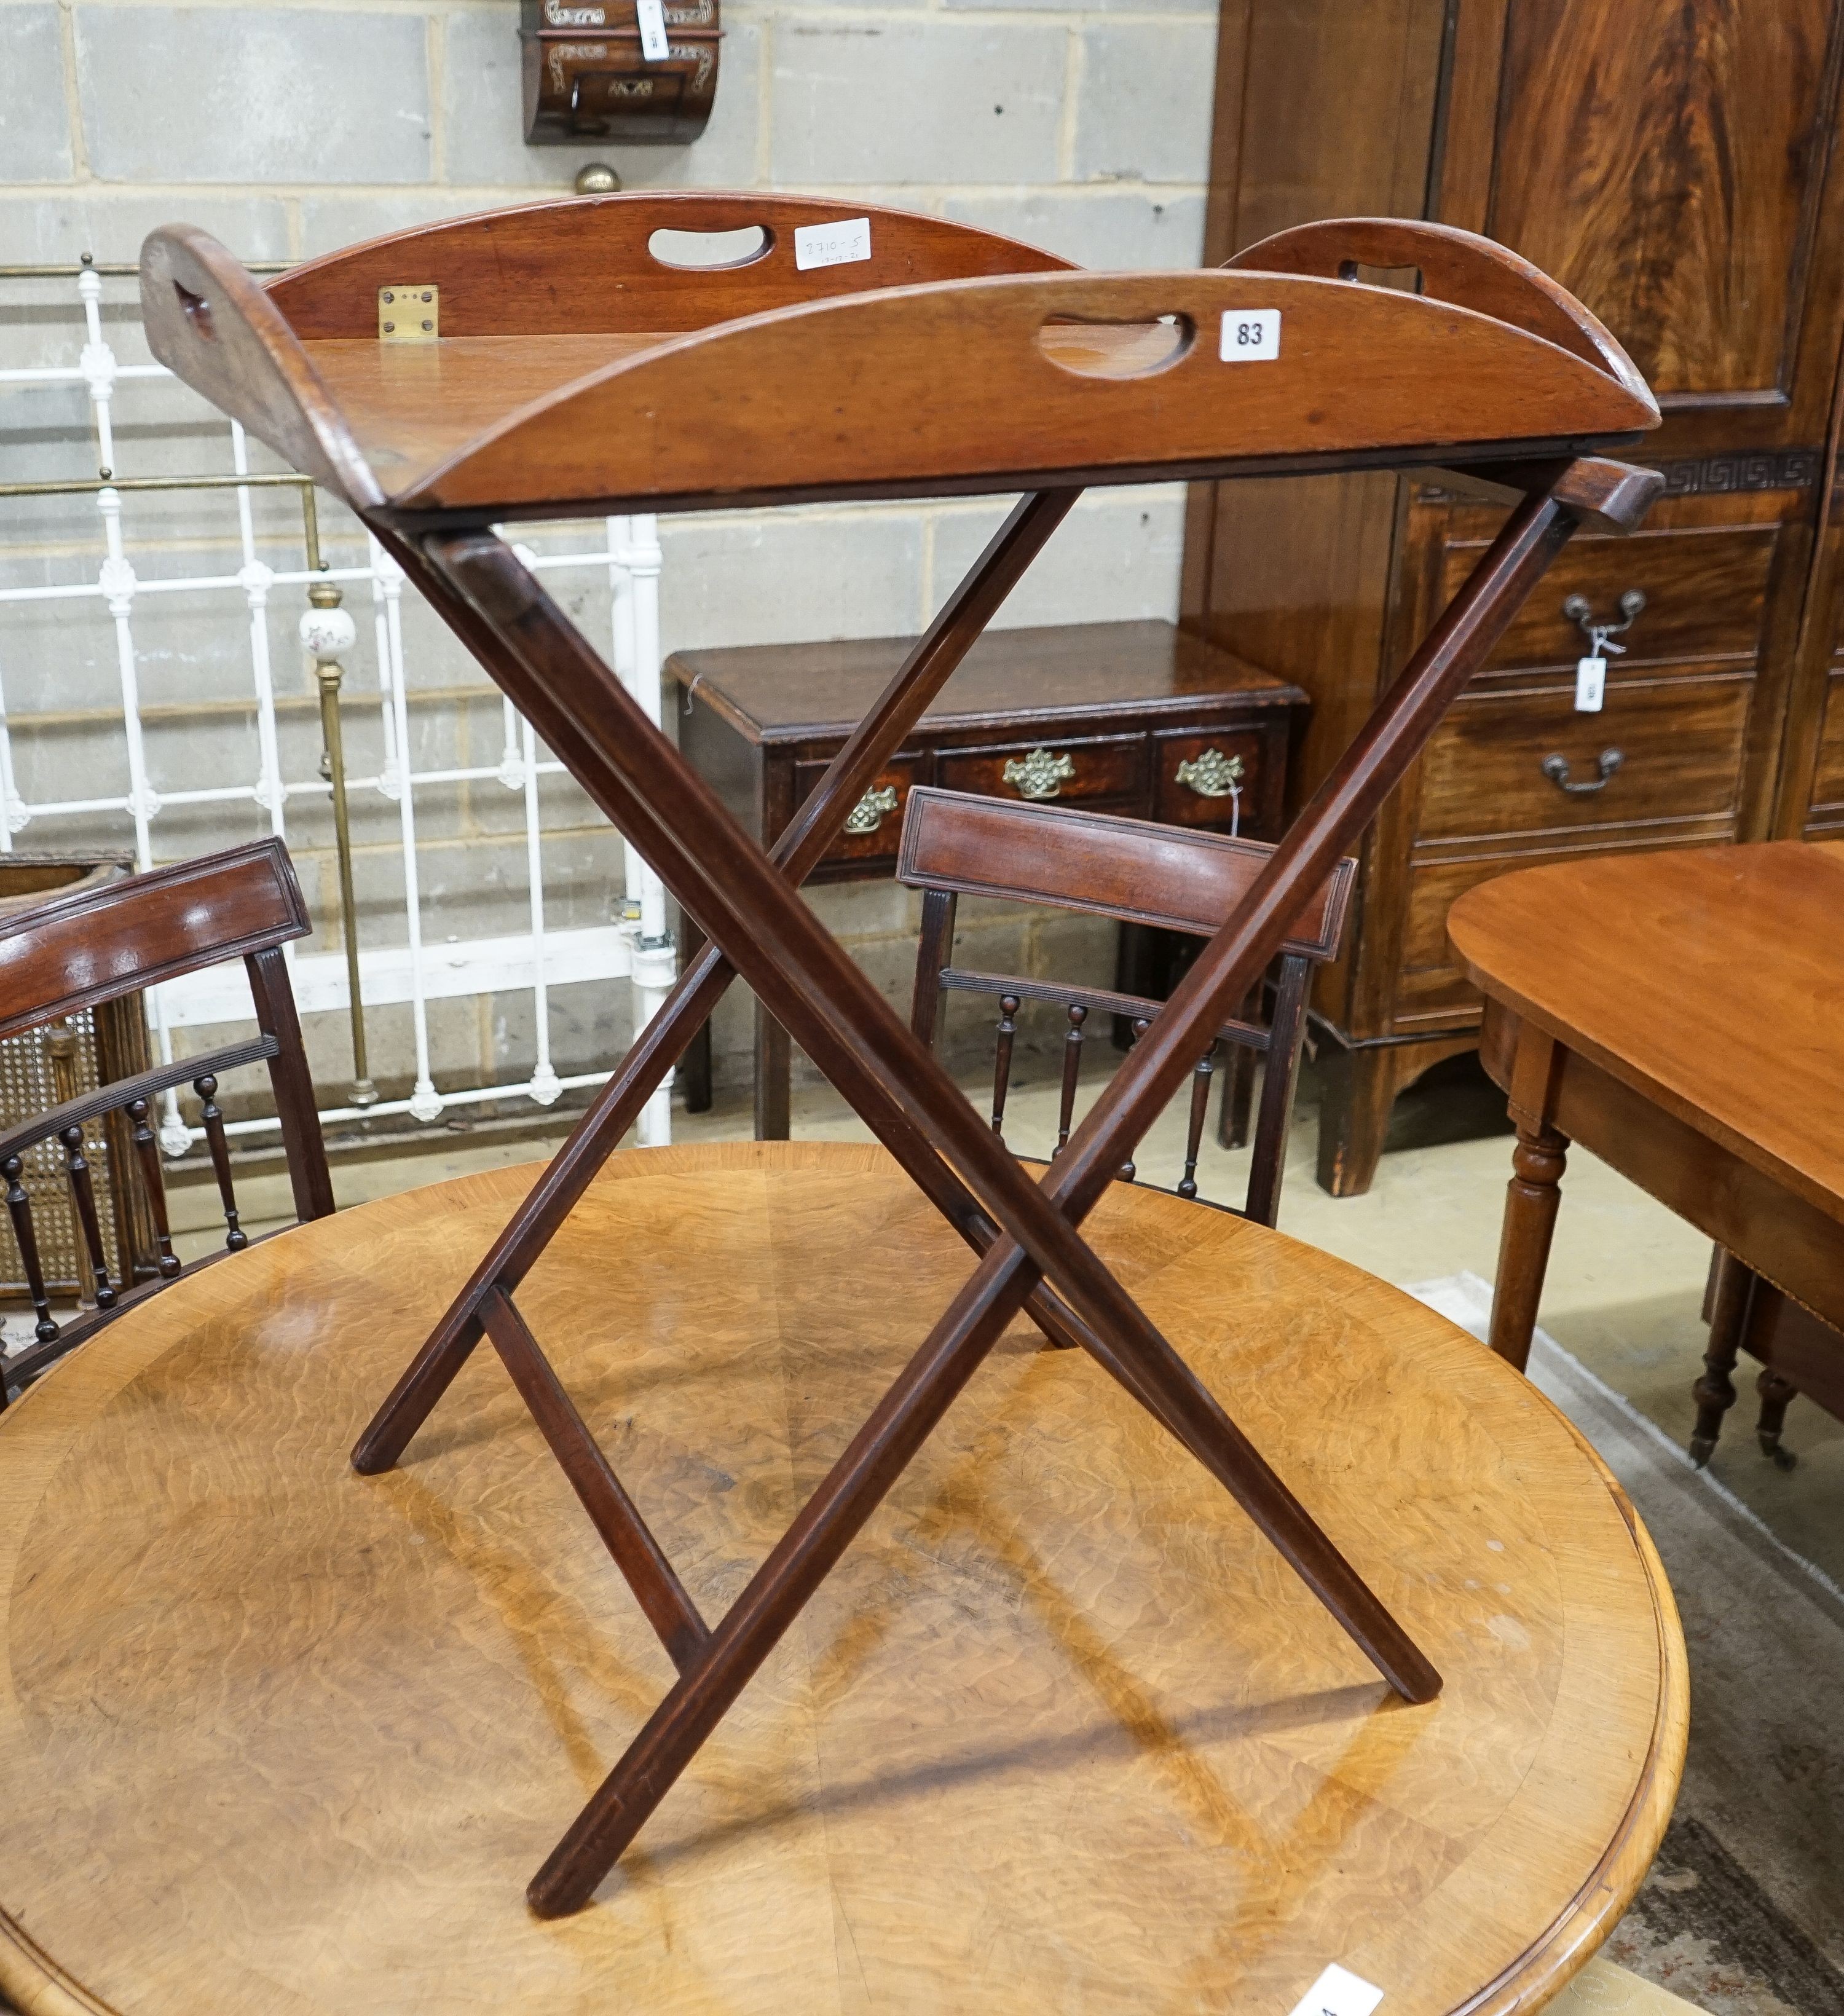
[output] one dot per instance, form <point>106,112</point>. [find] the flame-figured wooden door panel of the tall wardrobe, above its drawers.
<point>1666,164</point>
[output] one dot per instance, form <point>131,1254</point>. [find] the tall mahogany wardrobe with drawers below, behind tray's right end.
<point>1678,170</point>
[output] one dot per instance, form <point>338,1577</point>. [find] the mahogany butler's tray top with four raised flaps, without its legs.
<point>575,368</point>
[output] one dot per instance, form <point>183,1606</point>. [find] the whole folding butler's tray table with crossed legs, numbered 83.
<point>571,370</point>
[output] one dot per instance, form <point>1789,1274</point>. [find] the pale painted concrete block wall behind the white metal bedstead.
<point>299,128</point>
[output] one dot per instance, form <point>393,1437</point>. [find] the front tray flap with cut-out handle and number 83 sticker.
<point>1045,374</point>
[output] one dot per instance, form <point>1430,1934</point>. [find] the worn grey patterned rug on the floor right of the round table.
<point>1744,1908</point>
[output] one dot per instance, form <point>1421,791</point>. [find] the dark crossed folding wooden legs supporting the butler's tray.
<point>749,906</point>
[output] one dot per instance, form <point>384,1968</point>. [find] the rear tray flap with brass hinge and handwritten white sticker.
<point>583,265</point>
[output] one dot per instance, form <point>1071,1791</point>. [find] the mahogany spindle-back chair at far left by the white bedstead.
<point>98,944</point>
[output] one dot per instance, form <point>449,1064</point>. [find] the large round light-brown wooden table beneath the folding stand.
<point>1061,1731</point>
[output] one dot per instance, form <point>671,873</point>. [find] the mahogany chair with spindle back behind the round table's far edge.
<point>1136,874</point>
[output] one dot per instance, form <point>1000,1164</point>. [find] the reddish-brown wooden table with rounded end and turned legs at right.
<point>1676,1015</point>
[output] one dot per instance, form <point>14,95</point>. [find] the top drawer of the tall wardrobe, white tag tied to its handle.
<point>1706,596</point>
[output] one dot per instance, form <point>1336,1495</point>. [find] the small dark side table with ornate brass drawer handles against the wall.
<point>1132,719</point>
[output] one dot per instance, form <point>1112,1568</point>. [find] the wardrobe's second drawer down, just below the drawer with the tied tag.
<point>1680,747</point>
